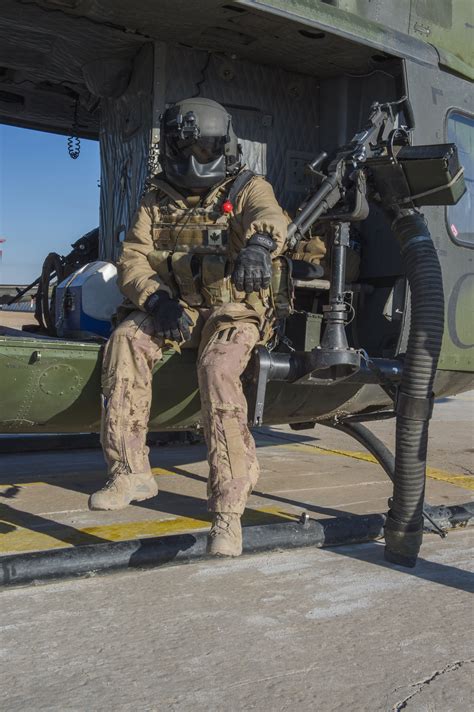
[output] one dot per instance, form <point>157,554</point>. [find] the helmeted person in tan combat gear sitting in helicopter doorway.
<point>196,270</point>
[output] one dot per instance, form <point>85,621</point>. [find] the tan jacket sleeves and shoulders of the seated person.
<point>256,210</point>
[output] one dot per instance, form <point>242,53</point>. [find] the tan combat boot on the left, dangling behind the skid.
<point>123,488</point>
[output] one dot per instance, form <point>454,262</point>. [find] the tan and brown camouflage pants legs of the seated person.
<point>129,358</point>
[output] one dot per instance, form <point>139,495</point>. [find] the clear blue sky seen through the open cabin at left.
<point>47,200</point>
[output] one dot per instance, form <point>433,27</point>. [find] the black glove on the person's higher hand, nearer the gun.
<point>253,266</point>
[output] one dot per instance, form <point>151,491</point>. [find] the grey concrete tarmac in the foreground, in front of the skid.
<point>328,630</point>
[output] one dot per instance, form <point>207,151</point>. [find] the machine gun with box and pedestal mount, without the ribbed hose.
<point>377,166</point>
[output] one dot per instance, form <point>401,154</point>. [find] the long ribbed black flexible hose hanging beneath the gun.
<point>404,526</point>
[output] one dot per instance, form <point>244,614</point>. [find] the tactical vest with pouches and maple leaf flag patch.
<point>194,248</point>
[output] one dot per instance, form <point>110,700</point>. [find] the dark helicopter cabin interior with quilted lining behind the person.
<point>106,72</point>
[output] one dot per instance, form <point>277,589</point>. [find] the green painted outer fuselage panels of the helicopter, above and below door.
<point>54,385</point>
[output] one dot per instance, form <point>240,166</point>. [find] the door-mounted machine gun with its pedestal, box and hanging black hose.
<point>379,166</point>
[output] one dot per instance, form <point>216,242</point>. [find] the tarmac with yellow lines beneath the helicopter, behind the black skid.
<point>43,495</point>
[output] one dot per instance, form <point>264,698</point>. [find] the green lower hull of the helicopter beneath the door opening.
<point>54,386</point>
